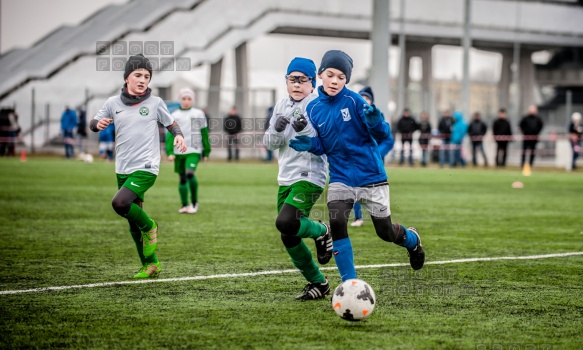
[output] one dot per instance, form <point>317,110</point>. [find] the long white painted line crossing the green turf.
<point>278,272</point>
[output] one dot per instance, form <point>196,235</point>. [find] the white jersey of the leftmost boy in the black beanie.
<point>137,139</point>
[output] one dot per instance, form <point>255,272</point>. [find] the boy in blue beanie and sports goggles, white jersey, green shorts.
<point>301,178</point>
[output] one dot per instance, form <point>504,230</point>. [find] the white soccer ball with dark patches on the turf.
<point>353,300</point>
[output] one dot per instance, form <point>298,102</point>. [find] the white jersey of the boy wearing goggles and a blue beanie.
<point>294,166</point>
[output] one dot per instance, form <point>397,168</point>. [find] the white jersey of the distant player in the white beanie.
<point>191,121</point>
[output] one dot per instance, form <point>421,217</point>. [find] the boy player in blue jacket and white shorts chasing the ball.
<point>348,131</point>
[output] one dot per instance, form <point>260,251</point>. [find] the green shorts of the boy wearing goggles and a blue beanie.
<point>302,195</point>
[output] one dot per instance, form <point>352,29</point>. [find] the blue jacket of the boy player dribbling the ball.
<point>349,143</point>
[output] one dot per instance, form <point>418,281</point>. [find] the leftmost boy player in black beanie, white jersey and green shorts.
<point>136,114</point>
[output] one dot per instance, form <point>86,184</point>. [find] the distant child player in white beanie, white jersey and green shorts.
<point>193,124</point>
